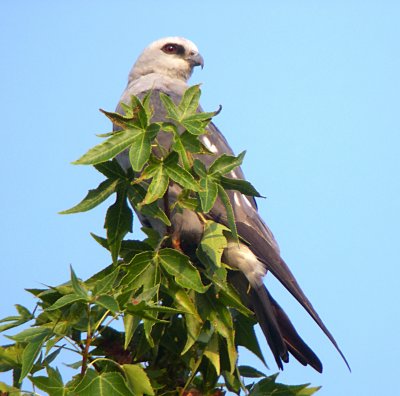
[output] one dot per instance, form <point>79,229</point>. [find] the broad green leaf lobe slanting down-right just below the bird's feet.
<point>179,266</point>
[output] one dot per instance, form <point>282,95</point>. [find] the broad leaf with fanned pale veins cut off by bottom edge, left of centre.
<point>104,384</point>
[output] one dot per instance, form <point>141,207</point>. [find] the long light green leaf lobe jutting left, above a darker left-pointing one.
<point>109,148</point>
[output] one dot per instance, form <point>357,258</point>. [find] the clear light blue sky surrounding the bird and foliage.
<point>310,89</point>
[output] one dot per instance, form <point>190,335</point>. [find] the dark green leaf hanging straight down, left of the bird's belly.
<point>118,223</point>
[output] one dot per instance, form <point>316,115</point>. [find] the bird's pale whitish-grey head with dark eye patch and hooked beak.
<point>174,57</point>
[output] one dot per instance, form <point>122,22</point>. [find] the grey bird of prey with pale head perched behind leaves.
<point>165,66</point>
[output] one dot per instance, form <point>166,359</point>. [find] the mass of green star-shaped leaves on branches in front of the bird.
<point>182,321</point>
